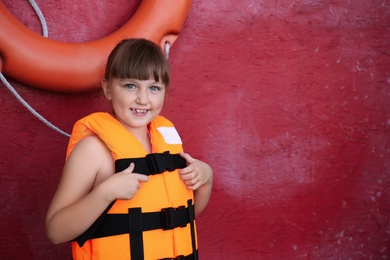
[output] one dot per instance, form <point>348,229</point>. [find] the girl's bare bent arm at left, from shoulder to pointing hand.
<point>87,186</point>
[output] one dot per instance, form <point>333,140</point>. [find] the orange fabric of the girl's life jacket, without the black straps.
<point>164,190</point>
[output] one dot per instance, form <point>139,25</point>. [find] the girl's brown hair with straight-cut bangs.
<point>137,59</point>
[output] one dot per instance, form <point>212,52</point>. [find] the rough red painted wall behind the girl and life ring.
<point>289,101</point>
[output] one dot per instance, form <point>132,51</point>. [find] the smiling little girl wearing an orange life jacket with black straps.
<point>145,210</point>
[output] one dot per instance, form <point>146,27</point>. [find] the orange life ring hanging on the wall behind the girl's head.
<point>56,66</point>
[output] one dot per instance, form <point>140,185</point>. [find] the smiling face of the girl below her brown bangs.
<point>135,102</point>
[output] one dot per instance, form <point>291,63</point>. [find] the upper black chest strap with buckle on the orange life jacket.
<point>153,163</point>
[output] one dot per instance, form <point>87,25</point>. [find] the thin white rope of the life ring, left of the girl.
<point>16,94</point>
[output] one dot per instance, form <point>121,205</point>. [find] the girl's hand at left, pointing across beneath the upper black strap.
<point>124,184</point>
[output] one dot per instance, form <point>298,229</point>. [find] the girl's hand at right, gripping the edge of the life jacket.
<point>196,174</point>
